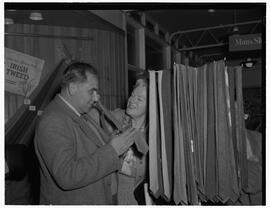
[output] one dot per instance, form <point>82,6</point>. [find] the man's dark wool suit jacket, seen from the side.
<point>75,168</point>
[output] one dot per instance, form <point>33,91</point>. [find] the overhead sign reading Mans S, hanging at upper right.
<point>245,42</point>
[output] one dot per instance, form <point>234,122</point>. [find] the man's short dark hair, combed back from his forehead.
<point>76,72</point>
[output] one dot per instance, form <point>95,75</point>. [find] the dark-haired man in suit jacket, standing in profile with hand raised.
<point>76,162</point>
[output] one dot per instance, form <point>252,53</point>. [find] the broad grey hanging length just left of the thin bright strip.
<point>225,157</point>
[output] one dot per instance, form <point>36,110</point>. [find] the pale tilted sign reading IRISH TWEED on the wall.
<point>22,72</point>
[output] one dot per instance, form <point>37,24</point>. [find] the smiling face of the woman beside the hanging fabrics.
<point>137,102</point>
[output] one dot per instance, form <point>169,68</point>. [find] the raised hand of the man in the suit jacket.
<point>123,141</point>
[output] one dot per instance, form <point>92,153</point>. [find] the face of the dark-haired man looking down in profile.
<point>84,95</point>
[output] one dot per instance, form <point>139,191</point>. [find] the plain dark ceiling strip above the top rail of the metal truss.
<point>185,19</point>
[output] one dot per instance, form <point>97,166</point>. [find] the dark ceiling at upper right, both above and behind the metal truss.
<point>186,19</point>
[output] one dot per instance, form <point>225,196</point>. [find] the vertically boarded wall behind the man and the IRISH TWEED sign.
<point>105,52</point>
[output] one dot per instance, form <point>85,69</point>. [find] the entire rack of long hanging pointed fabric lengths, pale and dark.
<point>197,146</point>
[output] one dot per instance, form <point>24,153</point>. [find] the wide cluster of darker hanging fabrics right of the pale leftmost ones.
<point>211,117</point>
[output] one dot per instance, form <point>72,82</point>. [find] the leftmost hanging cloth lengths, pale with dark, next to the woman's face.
<point>160,134</point>
